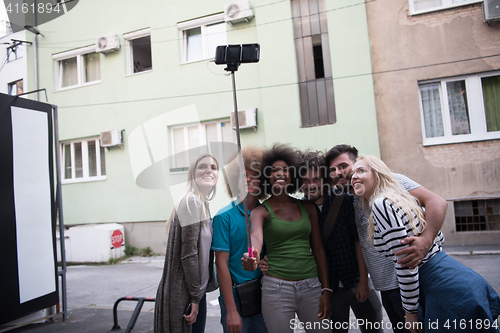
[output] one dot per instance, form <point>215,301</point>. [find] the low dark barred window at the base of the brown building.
<point>477,215</point>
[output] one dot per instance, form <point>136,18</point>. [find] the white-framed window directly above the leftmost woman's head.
<point>189,141</point>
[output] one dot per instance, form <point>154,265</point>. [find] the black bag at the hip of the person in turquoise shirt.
<point>250,297</point>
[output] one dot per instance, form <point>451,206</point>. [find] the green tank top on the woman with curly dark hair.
<point>288,246</point>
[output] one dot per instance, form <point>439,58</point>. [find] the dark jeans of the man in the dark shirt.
<point>370,310</point>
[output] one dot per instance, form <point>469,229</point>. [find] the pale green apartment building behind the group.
<point>145,71</point>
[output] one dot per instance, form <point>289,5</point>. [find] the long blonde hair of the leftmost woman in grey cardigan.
<point>193,191</point>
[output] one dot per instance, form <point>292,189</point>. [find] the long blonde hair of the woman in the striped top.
<point>388,187</point>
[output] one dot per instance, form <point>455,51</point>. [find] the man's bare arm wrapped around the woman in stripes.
<point>435,212</point>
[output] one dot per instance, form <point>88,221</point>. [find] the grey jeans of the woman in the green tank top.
<point>282,299</point>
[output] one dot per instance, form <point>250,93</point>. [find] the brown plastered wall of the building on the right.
<point>407,50</point>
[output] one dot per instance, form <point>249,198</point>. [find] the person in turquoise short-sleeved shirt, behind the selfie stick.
<point>230,239</point>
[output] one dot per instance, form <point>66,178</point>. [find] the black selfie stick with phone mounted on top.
<point>233,56</point>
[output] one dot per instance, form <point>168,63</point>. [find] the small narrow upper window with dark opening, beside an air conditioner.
<point>139,51</point>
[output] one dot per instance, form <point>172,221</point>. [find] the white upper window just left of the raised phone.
<point>200,37</point>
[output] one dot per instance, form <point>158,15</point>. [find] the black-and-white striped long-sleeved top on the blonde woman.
<point>391,226</point>
